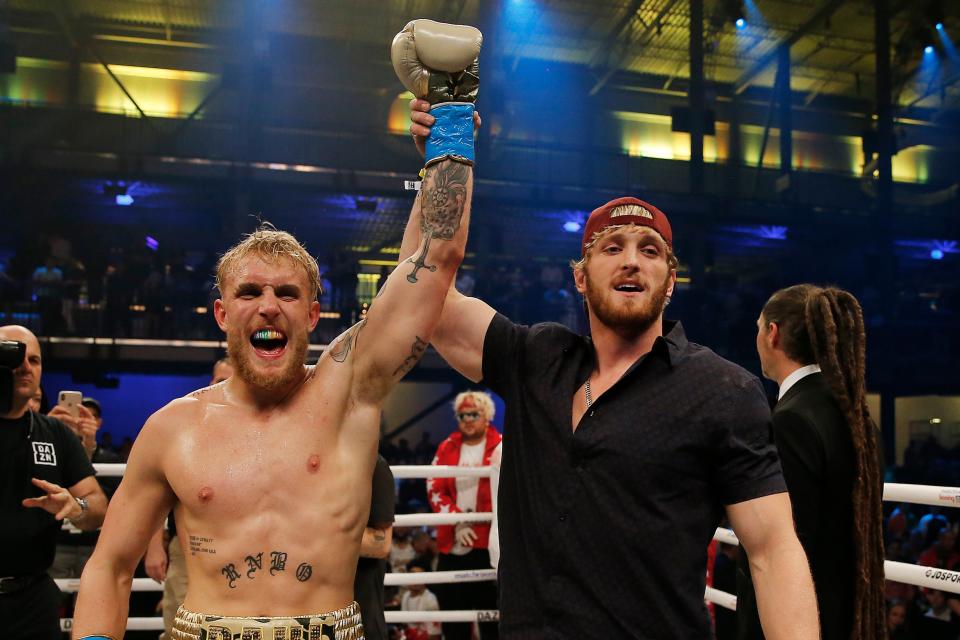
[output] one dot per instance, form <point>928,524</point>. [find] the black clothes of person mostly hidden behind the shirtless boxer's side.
<point>368,585</point>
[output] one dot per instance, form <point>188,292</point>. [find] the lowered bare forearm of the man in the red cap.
<point>781,575</point>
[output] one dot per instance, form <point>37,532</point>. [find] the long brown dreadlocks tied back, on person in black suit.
<point>824,325</point>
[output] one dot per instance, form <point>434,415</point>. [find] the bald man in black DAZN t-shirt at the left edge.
<point>45,476</point>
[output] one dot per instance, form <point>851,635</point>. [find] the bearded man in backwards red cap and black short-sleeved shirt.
<point>623,450</point>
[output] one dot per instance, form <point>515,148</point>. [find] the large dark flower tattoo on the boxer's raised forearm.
<point>442,201</point>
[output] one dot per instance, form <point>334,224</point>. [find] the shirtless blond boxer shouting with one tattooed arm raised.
<point>269,473</point>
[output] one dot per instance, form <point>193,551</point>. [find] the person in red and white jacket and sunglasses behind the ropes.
<point>465,546</point>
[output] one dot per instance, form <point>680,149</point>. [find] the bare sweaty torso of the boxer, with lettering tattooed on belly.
<point>301,523</point>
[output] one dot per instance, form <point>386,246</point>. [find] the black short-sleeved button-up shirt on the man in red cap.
<point>604,531</point>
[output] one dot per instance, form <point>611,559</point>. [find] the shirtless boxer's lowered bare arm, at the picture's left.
<point>135,514</point>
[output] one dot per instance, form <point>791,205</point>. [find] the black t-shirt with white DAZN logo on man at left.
<point>34,446</point>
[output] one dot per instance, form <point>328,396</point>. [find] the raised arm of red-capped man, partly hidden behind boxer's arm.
<point>464,321</point>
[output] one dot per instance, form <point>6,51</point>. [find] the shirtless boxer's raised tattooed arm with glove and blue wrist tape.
<point>438,62</point>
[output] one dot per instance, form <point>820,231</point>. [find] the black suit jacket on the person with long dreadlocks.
<point>816,451</point>
